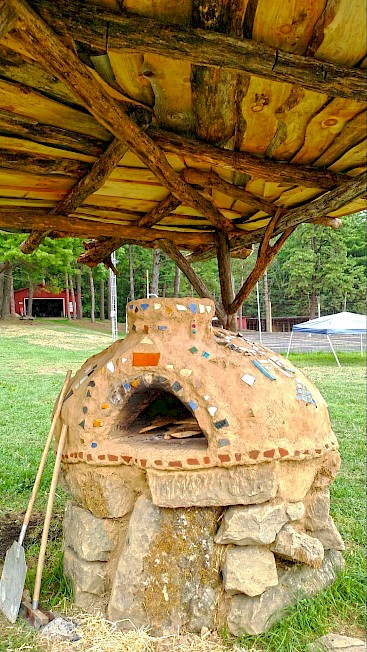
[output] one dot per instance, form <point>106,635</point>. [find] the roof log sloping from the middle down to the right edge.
<point>268,170</point>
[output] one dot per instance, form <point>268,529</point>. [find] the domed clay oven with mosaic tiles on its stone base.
<point>199,466</point>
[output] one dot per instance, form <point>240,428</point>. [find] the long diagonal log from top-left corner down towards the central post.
<point>42,43</point>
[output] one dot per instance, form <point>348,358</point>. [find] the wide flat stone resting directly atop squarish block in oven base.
<point>255,524</point>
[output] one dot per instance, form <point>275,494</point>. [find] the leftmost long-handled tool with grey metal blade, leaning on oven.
<point>15,569</point>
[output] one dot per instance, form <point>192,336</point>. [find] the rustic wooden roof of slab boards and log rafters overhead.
<point>176,121</point>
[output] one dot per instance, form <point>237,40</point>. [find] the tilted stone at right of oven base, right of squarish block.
<point>298,546</point>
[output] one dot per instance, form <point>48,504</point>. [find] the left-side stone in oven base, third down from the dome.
<point>89,576</point>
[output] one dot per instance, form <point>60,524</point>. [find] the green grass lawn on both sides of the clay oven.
<point>34,357</point>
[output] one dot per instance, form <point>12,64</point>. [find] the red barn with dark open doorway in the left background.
<point>45,304</point>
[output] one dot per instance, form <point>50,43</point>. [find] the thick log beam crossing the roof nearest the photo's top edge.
<point>205,48</point>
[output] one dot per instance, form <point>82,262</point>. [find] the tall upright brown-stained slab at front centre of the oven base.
<point>166,575</point>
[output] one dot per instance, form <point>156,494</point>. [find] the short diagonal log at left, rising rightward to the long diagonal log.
<point>92,181</point>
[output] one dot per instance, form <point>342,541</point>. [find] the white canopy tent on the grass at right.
<point>343,323</point>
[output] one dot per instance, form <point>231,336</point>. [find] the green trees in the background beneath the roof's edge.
<point>317,266</point>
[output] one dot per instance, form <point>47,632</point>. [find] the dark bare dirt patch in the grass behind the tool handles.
<point>10,526</point>
